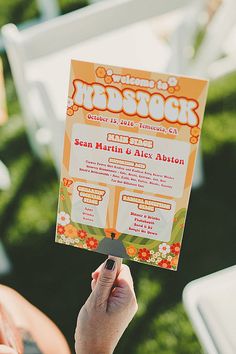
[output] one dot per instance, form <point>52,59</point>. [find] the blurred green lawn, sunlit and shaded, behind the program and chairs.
<point>56,278</point>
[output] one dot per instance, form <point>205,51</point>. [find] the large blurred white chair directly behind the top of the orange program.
<point>40,56</point>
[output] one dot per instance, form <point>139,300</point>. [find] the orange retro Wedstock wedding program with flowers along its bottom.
<point>130,146</point>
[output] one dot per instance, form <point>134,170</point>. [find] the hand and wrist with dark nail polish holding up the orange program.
<point>108,310</point>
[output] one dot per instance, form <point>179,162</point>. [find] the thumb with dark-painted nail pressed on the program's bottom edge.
<point>106,279</point>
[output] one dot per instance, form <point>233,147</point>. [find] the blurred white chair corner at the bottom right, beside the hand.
<point>210,303</point>
